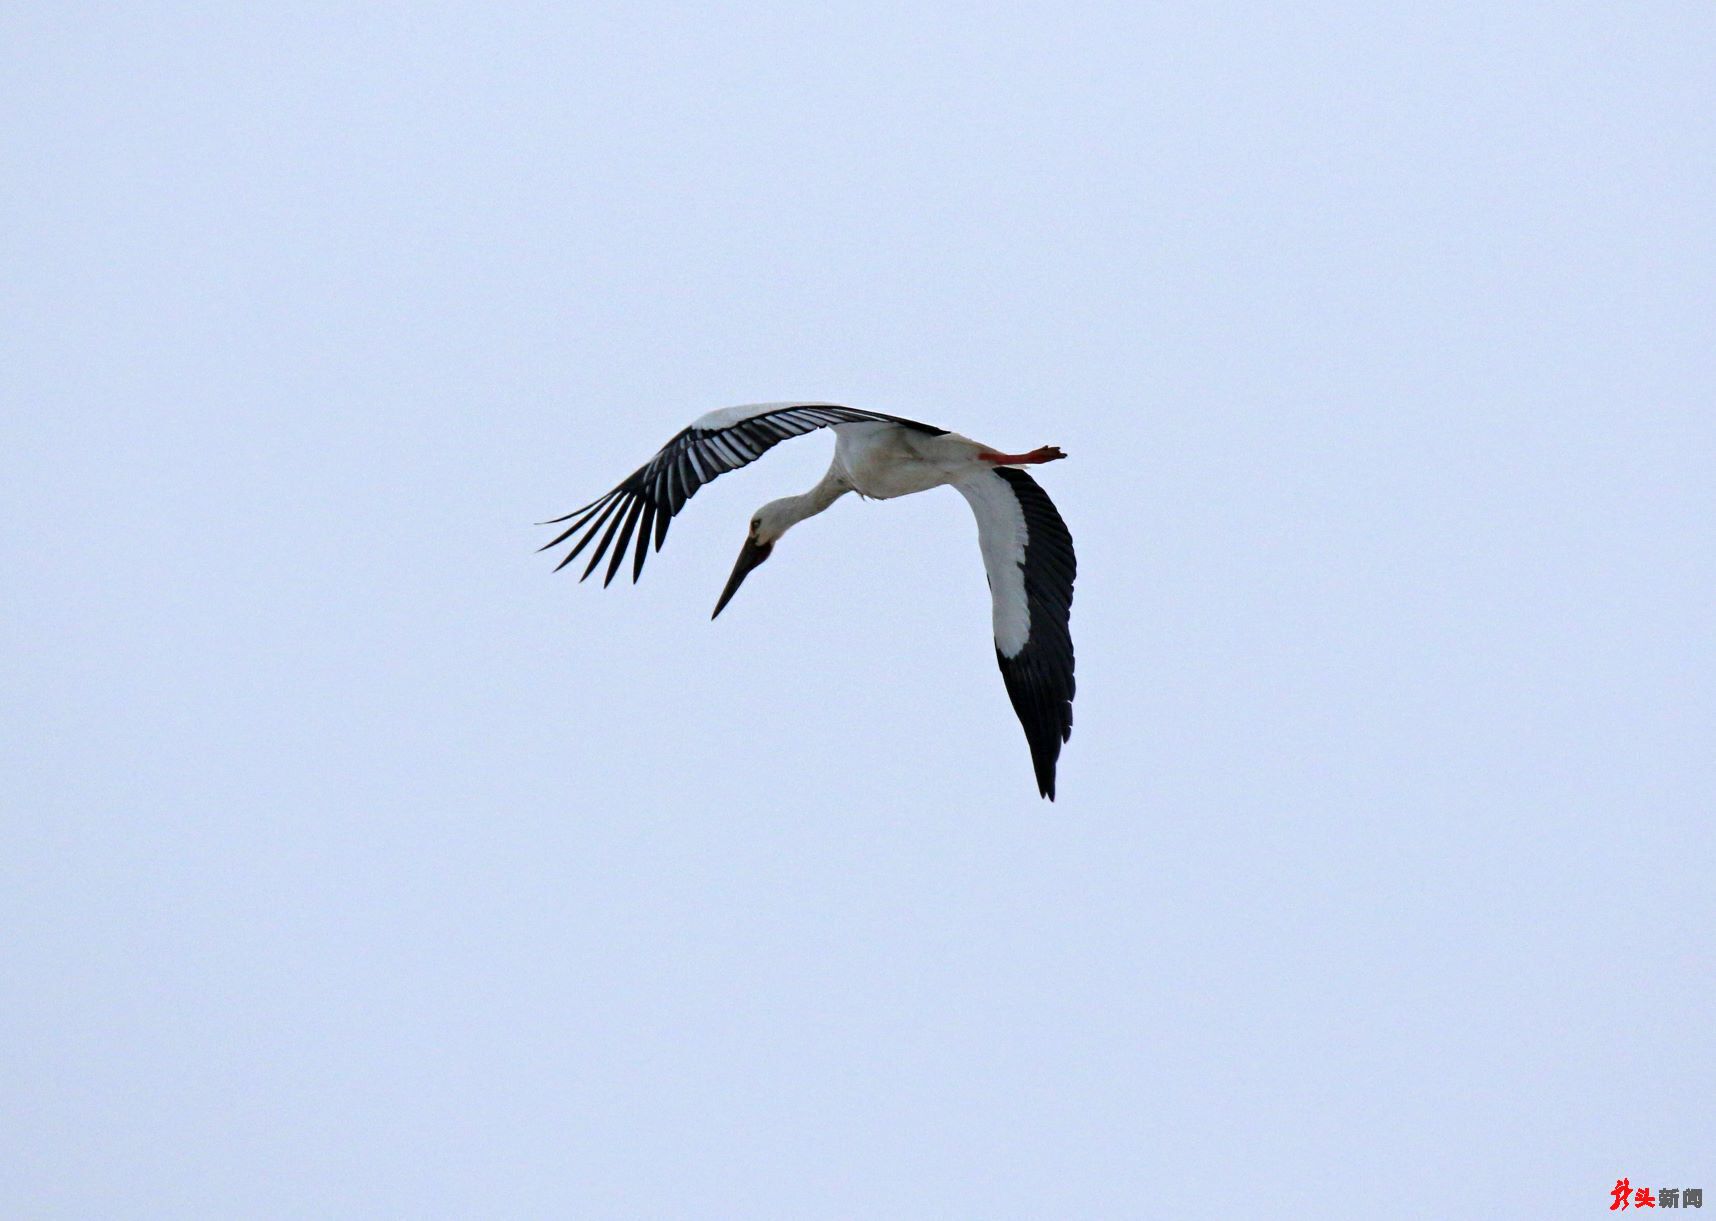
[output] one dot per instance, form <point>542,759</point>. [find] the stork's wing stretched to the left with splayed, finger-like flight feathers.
<point>715,445</point>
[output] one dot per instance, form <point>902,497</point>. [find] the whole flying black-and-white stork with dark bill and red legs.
<point>1027,548</point>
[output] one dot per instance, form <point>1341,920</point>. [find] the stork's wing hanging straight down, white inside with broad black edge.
<point>1029,558</point>
